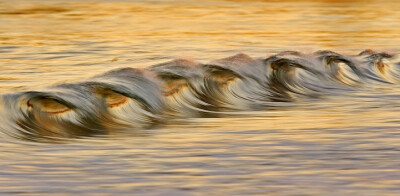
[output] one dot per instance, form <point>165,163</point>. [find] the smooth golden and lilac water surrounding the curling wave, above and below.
<point>338,145</point>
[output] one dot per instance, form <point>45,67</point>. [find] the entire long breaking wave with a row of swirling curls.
<point>138,98</point>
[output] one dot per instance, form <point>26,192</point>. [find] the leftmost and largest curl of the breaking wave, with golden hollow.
<point>61,111</point>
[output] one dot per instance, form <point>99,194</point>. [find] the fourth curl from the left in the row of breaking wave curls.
<point>236,82</point>
